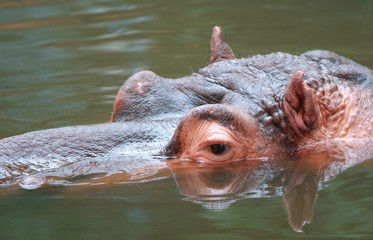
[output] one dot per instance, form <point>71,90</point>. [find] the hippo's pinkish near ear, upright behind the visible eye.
<point>300,105</point>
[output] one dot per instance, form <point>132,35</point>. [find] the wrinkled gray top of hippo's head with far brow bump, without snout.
<point>254,85</point>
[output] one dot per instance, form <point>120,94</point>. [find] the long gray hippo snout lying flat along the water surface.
<point>52,148</point>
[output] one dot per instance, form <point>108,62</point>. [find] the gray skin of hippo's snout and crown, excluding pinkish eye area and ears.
<point>148,107</point>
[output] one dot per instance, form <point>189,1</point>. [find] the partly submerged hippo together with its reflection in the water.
<point>227,131</point>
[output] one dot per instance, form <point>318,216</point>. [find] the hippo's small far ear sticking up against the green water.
<point>219,49</point>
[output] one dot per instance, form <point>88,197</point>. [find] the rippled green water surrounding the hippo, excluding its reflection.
<point>62,63</point>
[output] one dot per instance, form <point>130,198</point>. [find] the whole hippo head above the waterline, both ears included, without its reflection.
<point>273,106</point>
